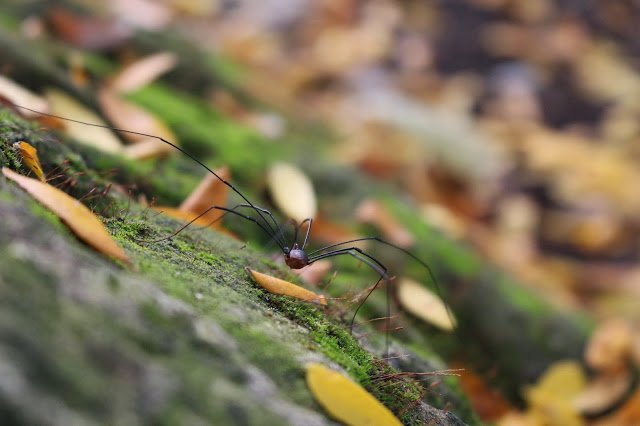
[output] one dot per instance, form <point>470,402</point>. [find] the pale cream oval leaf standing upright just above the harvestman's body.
<point>292,191</point>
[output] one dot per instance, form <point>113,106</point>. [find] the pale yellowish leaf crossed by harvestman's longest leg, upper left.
<point>65,106</point>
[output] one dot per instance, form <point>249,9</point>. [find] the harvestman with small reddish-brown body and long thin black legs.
<point>295,256</point>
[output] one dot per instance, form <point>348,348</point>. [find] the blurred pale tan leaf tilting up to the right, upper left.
<point>142,72</point>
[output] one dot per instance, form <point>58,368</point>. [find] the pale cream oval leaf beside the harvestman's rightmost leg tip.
<point>422,303</point>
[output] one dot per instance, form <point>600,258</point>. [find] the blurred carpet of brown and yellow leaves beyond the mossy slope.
<point>514,125</point>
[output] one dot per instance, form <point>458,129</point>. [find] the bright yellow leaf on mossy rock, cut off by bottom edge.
<point>345,400</point>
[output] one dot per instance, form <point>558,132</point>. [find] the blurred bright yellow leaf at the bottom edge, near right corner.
<point>551,399</point>
